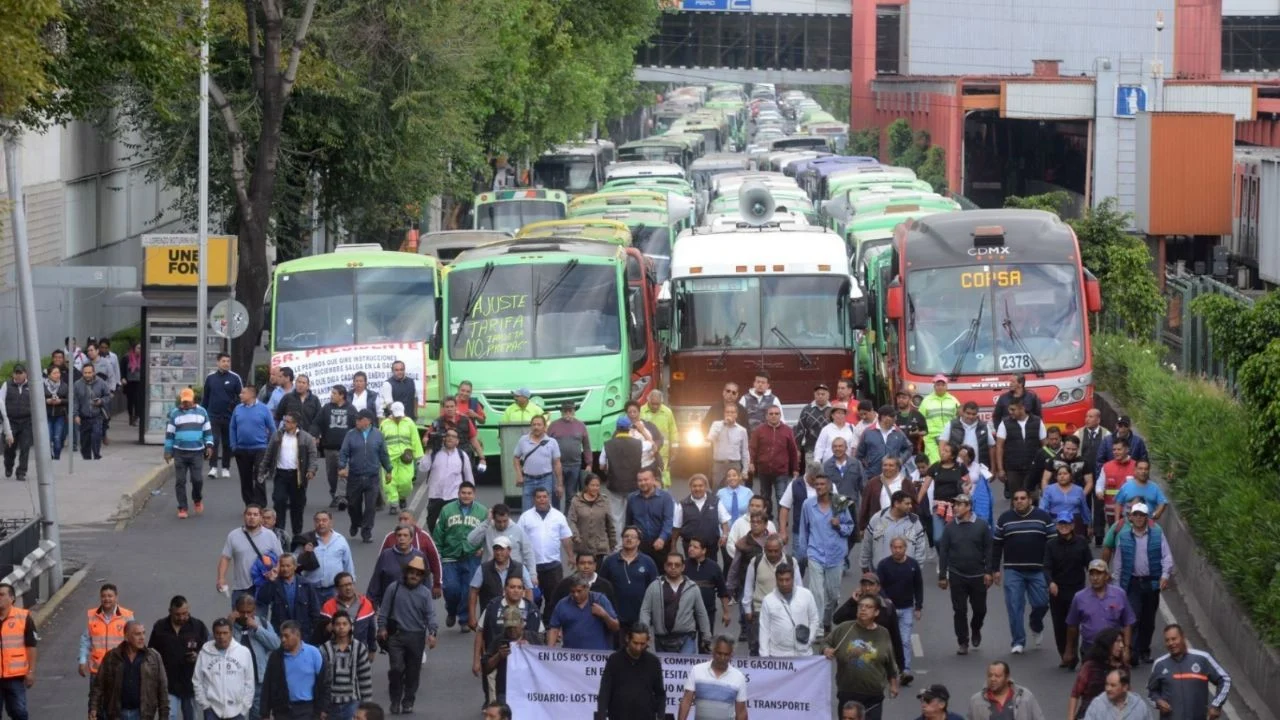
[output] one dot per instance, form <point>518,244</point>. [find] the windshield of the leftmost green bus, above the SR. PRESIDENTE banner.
<point>354,307</point>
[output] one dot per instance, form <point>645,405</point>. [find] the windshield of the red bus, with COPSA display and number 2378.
<point>986,320</point>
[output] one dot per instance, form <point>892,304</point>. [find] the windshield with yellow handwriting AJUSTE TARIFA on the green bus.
<point>534,311</point>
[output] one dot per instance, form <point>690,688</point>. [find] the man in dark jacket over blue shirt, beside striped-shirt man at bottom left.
<point>296,683</point>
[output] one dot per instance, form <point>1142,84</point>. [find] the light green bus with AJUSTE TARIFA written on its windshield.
<point>557,316</point>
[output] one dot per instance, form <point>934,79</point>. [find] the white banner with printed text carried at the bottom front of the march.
<point>547,683</point>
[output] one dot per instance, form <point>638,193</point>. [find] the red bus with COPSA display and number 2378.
<point>981,295</point>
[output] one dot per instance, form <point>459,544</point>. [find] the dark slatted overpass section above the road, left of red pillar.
<point>734,42</point>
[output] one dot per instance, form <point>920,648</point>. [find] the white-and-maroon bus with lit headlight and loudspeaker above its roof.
<point>781,302</point>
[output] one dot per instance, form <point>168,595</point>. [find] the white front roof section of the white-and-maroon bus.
<point>802,250</point>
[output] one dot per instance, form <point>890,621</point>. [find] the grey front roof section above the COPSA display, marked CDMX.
<point>1017,236</point>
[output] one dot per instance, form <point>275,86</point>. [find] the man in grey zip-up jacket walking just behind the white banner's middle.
<point>674,608</point>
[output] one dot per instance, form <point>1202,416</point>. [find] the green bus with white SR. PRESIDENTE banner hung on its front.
<point>360,308</point>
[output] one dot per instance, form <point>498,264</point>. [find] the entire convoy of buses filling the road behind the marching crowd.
<point>675,265</point>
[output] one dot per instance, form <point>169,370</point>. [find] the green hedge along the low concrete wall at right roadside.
<point>1200,436</point>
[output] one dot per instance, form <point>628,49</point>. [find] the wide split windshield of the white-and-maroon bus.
<point>770,312</point>
